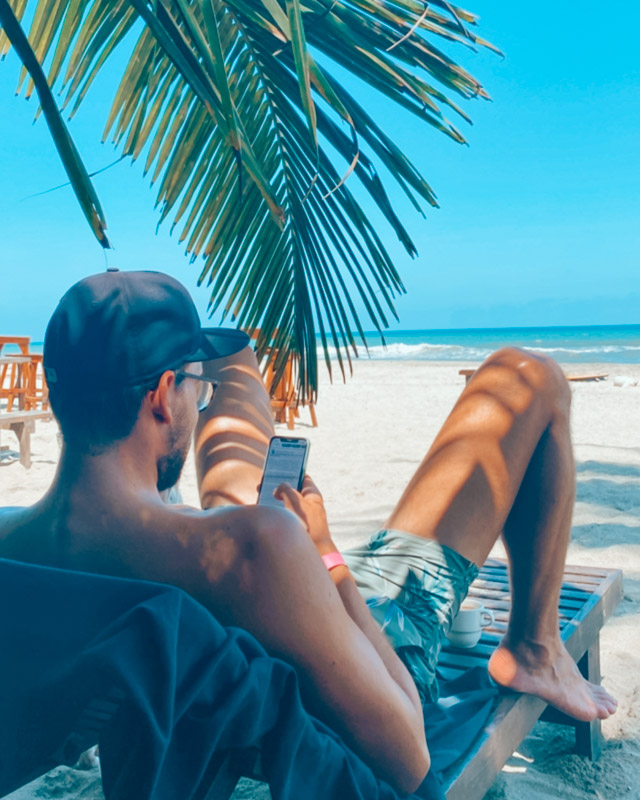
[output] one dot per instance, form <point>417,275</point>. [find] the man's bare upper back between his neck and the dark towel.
<point>149,541</point>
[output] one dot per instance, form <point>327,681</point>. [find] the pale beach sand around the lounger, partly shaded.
<point>372,434</point>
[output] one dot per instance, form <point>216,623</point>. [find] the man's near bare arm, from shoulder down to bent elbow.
<point>257,568</point>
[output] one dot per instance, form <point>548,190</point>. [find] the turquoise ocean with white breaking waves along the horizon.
<point>617,344</point>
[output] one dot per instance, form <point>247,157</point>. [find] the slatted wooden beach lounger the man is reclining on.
<point>588,598</point>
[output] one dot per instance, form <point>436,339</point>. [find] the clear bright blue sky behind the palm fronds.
<point>538,218</point>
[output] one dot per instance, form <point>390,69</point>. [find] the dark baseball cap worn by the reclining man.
<point>119,329</point>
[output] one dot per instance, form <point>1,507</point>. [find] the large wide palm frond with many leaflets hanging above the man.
<point>251,140</point>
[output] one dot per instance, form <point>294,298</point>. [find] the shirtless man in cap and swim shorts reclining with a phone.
<point>129,369</point>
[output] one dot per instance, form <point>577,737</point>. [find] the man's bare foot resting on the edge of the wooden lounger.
<point>551,674</point>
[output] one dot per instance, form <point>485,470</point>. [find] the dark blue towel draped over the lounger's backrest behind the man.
<point>148,672</point>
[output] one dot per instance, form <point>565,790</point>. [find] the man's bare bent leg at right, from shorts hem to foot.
<point>503,463</point>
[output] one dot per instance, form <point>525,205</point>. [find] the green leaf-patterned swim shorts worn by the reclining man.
<point>413,588</point>
